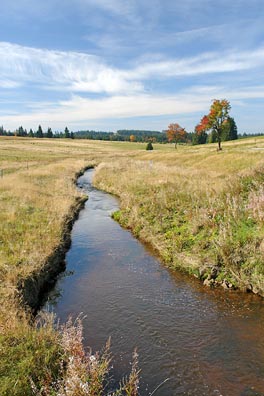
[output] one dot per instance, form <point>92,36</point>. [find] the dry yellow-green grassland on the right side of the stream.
<point>200,209</point>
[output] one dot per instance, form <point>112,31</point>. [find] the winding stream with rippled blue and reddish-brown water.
<point>207,342</point>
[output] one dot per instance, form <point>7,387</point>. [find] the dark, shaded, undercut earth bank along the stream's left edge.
<point>33,289</point>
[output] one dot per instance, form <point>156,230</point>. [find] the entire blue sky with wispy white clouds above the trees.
<point>130,64</point>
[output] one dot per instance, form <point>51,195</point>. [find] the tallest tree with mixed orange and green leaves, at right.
<point>215,120</point>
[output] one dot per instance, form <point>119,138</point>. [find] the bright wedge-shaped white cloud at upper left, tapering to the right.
<point>71,71</point>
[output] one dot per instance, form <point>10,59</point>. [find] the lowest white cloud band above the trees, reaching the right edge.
<point>79,110</point>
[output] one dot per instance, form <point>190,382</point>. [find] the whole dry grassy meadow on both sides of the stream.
<point>201,210</point>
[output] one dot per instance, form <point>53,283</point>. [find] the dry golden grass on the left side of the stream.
<point>37,194</point>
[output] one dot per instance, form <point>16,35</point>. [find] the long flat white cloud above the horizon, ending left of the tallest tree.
<point>79,110</point>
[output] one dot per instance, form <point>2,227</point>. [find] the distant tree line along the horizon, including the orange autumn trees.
<point>214,127</point>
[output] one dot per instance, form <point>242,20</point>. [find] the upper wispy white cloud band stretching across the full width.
<point>80,72</point>
